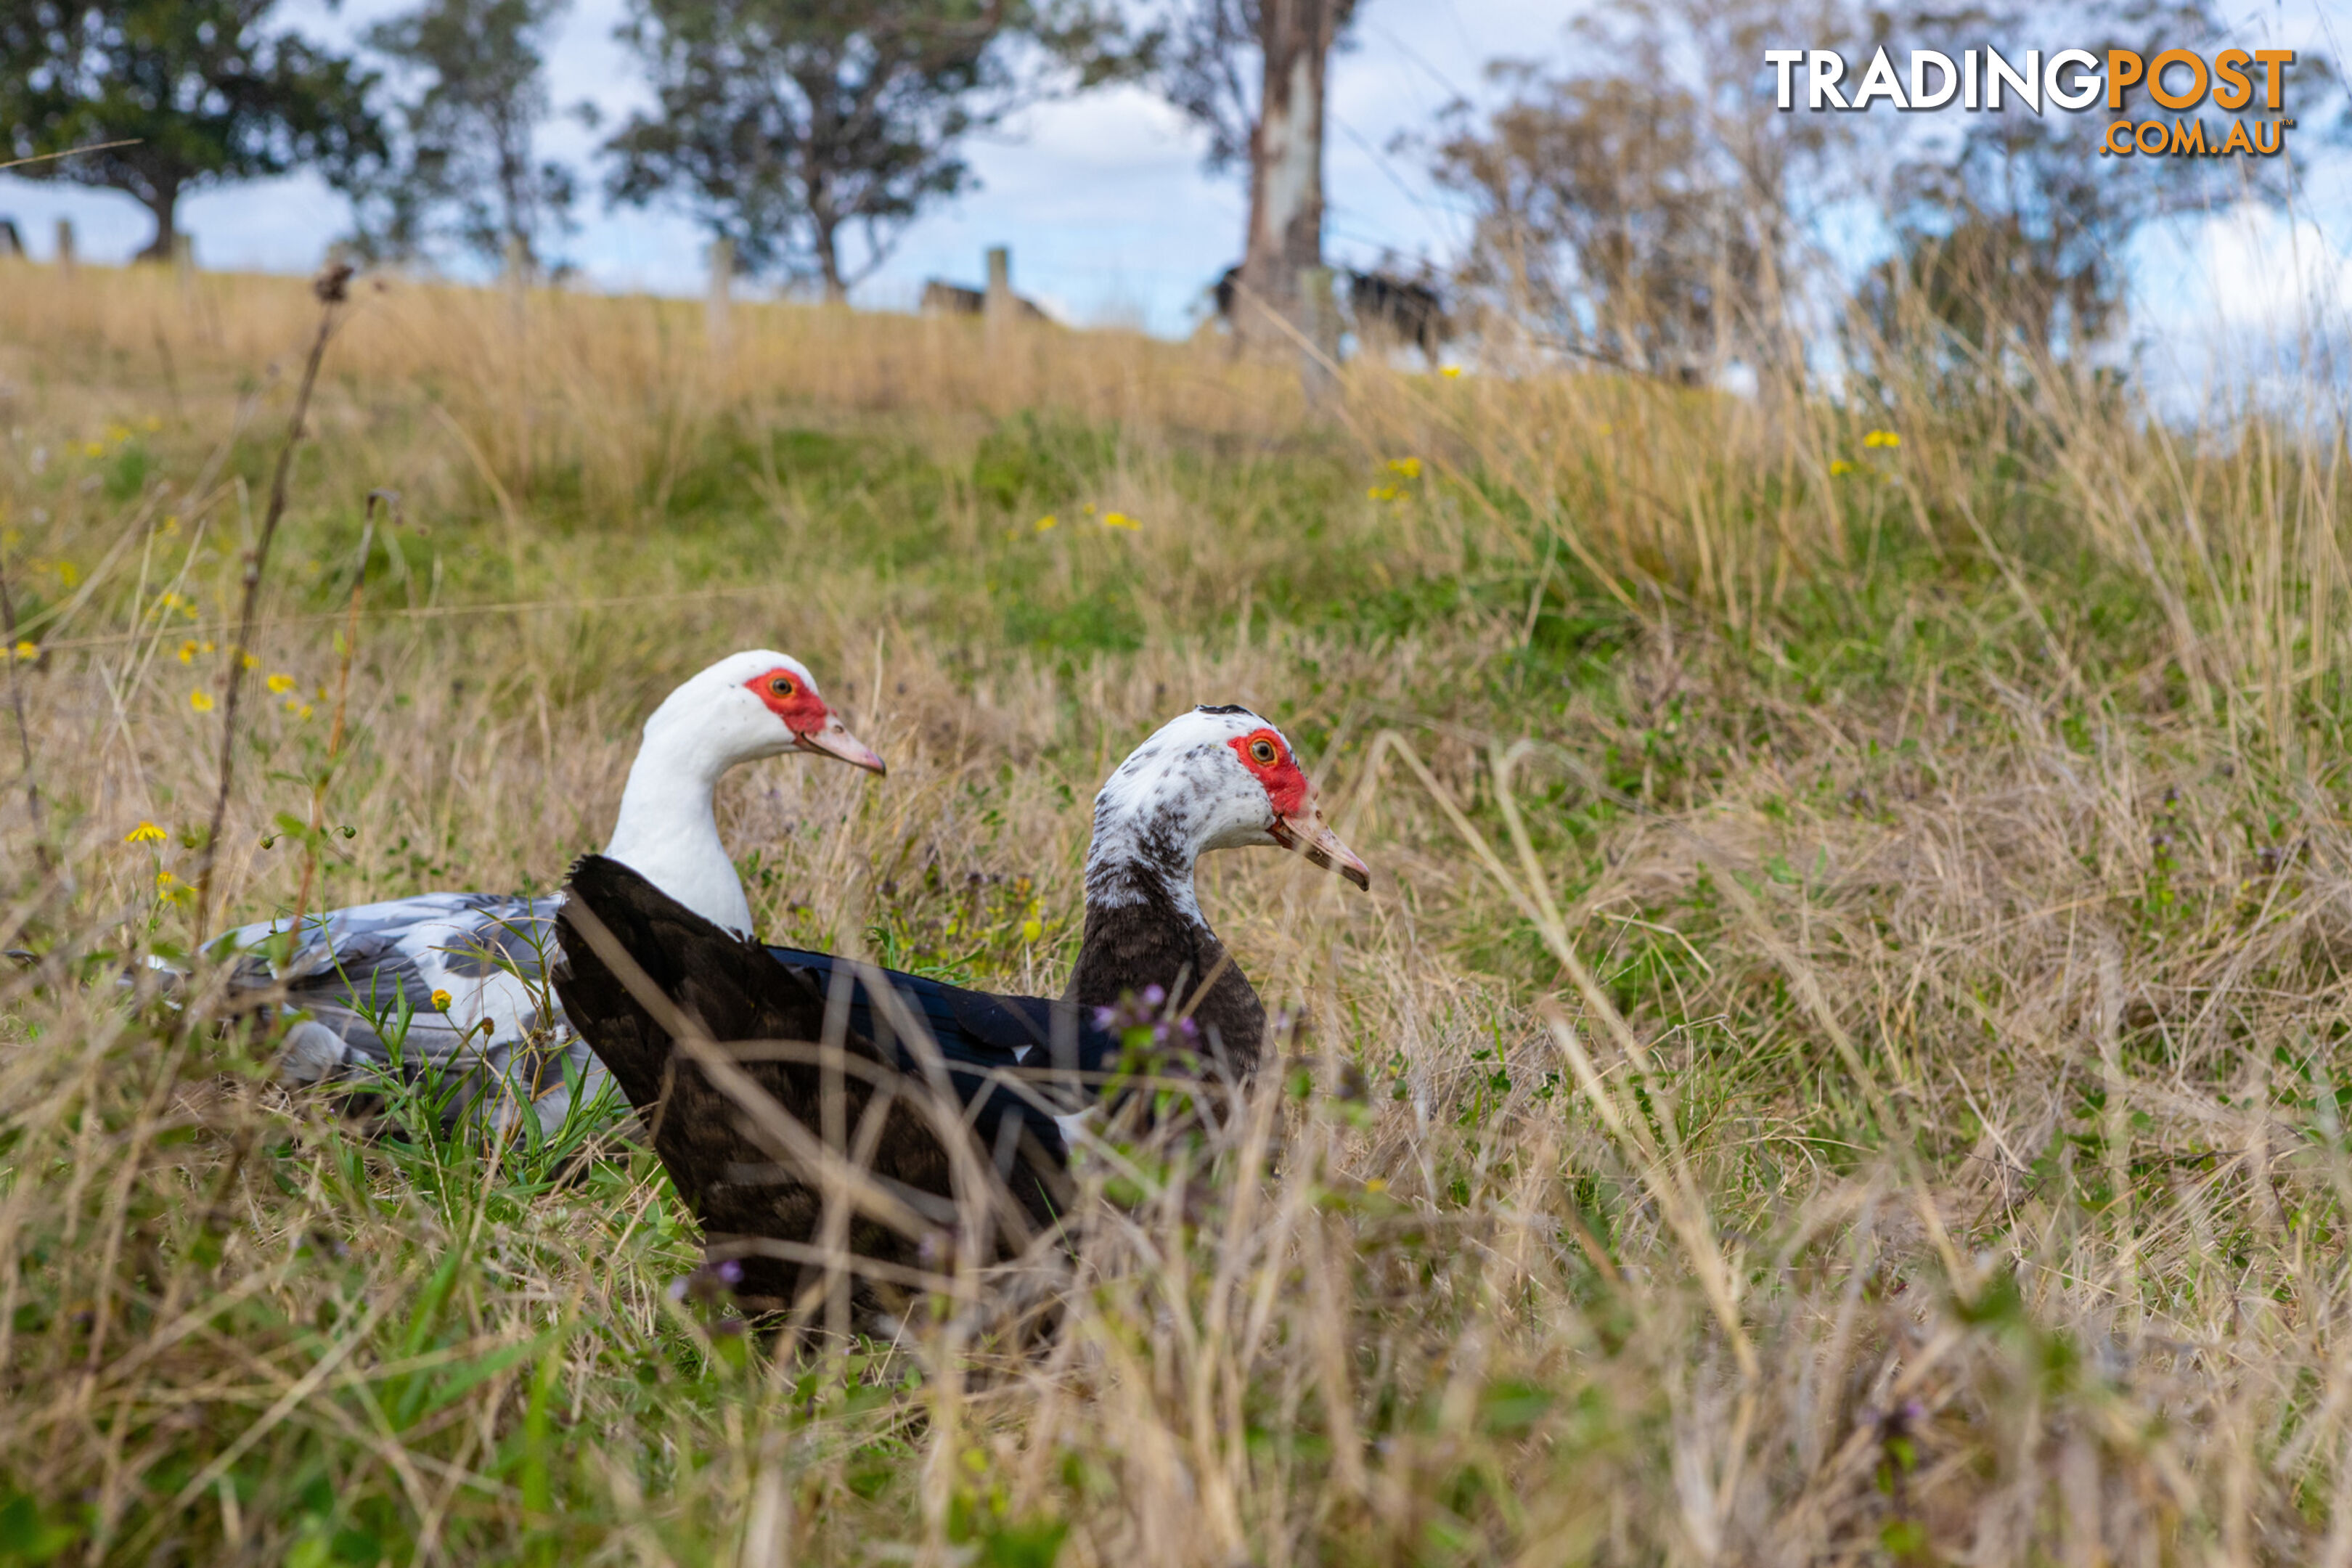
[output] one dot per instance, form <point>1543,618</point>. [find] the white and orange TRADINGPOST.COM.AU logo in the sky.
<point>2076,81</point>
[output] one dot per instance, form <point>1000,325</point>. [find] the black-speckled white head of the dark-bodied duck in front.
<point>1210,779</point>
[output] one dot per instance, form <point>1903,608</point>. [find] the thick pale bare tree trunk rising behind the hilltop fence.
<point>1285,168</point>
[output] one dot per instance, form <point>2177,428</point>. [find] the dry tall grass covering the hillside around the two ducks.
<point>1843,1061</point>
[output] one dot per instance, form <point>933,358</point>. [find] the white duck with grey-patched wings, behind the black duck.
<point>472,967</point>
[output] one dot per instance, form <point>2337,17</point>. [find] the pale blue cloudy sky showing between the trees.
<point>1114,220</point>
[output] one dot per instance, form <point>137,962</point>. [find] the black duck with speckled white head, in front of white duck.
<point>1212,779</point>
